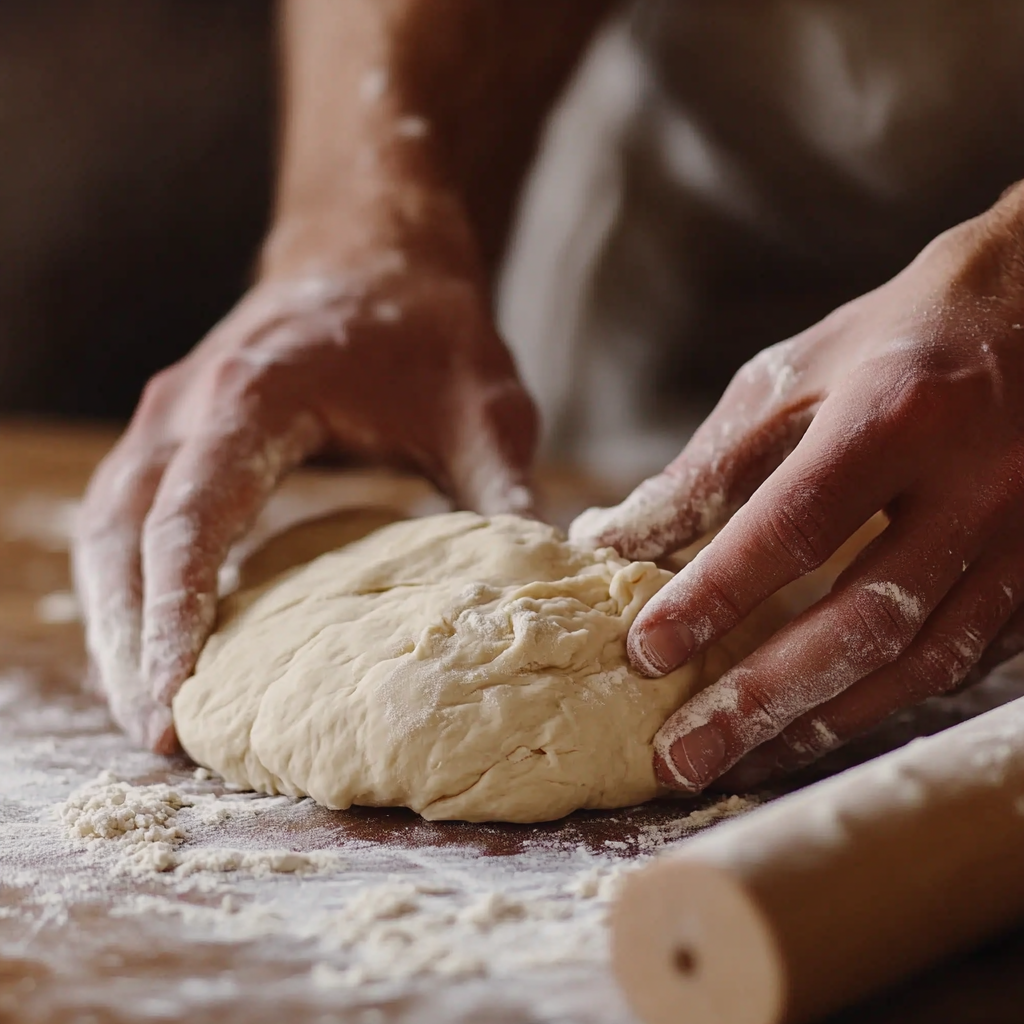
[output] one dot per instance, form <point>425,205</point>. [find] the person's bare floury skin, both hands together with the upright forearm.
<point>408,127</point>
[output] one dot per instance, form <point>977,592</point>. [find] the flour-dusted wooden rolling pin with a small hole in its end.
<point>833,893</point>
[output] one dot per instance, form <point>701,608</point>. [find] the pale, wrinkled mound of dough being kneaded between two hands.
<point>464,667</point>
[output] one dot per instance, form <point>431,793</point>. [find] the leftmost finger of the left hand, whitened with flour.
<point>107,567</point>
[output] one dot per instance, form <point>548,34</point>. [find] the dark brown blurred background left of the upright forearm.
<point>136,157</point>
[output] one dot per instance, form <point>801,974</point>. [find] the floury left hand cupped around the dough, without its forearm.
<point>393,366</point>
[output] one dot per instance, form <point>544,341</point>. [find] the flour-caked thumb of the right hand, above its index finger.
<point>759,420</point>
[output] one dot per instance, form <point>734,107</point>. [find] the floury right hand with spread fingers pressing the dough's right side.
<point>910,400</point>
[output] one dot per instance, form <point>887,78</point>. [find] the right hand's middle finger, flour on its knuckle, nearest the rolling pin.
<point>870,619</point>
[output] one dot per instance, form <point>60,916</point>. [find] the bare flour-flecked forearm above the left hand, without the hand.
<point>410,124</point>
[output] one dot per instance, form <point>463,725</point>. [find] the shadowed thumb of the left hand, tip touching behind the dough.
<point>489,471</point>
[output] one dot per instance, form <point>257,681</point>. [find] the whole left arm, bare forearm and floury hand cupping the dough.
<point>409,125</point>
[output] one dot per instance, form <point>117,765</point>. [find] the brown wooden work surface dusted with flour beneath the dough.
<point>83,941</point>
